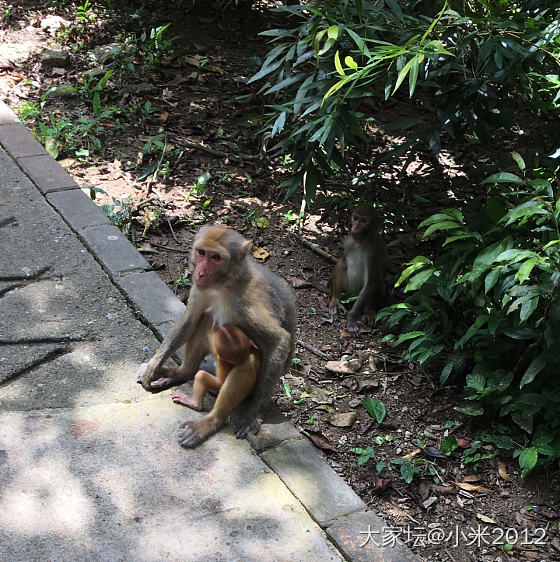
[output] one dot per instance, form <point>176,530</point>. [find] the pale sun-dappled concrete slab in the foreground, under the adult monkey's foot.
<point>110,483</point>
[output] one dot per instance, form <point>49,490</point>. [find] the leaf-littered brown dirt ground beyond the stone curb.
<point>212,167</point>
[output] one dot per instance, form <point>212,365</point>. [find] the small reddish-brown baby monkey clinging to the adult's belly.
<point>235,353</point>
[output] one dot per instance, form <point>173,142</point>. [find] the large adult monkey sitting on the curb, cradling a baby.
<point>229,288</point>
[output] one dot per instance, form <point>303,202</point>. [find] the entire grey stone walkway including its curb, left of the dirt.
<point>89,464</point>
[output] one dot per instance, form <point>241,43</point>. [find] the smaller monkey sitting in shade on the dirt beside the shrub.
<point>361,270</point>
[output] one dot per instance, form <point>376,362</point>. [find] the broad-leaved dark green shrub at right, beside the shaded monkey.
<point>488,309</point>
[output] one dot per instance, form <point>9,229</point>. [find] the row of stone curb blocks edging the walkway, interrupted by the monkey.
<point>355,531</point>
